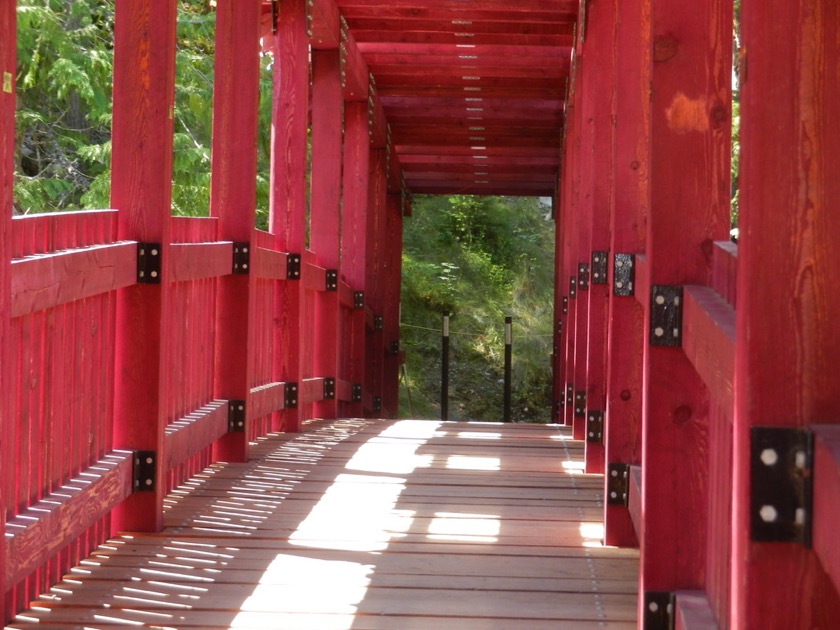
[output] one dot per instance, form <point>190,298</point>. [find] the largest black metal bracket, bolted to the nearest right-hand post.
<point>781,484</point>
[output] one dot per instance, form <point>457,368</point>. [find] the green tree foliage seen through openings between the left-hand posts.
<point>65,70</point>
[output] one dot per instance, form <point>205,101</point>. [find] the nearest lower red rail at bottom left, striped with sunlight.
<point>43,530</point>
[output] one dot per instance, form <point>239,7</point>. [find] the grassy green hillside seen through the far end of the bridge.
<point>478,259</point>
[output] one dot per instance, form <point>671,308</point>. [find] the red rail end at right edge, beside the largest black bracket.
<point>826,506</point>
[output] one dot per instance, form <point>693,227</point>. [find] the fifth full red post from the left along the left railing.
<point>354,238</point>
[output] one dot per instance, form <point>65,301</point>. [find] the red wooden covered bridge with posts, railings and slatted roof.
<point>142,354</point>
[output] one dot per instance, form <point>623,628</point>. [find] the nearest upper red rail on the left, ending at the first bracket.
<point>44,281</point>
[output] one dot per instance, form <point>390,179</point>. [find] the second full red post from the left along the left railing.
<point>232,196</point>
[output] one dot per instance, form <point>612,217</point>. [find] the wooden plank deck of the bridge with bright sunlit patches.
<point>363,524</point>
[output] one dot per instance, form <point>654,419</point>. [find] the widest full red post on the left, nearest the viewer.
<point>141,190</point>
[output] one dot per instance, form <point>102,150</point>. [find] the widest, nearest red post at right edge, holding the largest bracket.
<point>788,303</point>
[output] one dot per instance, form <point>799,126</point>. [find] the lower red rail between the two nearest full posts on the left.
<point>194,432</point>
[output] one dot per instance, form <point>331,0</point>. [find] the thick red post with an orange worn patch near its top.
<point>690,147</point>
